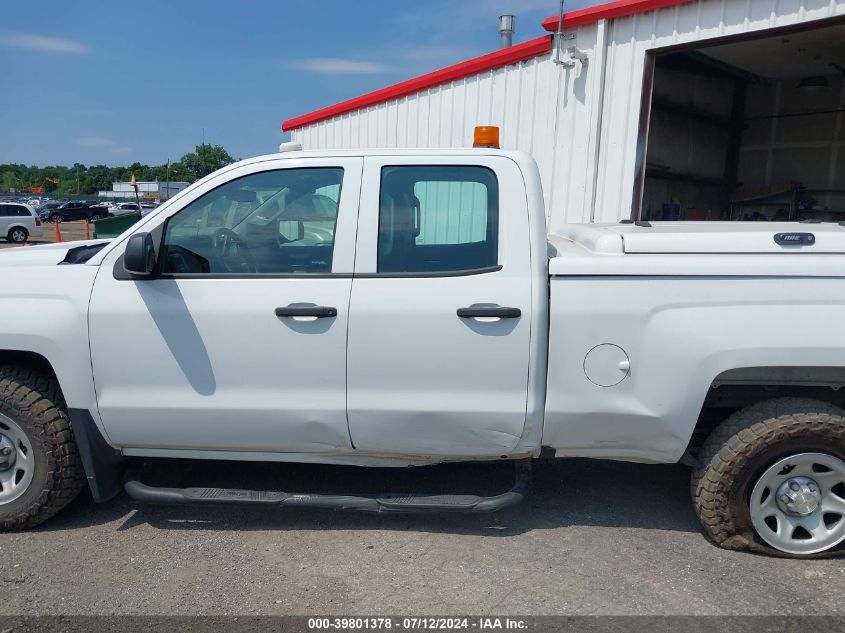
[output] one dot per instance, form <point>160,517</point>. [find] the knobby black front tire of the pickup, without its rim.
<point>34,402</point>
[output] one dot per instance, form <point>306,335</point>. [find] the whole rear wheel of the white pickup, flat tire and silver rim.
<point>772,479</point>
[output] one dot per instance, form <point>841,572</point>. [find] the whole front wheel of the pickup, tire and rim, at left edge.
<point>40,468</point>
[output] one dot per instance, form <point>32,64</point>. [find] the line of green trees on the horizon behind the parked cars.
<point>86,180</point>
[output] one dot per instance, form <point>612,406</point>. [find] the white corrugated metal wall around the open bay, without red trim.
<point>554,113</point>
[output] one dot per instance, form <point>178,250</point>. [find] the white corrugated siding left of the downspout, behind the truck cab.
<point>537,110</point>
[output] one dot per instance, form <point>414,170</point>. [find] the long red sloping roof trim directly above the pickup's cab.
<point>497,59</point>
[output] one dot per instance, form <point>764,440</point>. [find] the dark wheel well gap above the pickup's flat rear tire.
<point>739,388</point>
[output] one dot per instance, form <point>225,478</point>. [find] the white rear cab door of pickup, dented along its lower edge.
<point>440,312</point>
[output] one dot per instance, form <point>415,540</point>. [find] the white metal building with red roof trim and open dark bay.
<point>711,109</point>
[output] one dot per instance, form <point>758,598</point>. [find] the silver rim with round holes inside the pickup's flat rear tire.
<point>798,503</point>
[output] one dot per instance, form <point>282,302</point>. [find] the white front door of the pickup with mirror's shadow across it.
<point>238,342</point>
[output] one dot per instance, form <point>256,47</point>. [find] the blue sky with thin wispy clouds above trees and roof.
<point>119,82</point>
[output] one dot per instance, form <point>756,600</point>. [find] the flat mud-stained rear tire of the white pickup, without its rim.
<point>742,447</point>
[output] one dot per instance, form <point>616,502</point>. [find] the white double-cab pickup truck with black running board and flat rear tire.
<point>405,308</point>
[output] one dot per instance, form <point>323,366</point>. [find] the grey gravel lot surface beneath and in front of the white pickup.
<point>593,538</point>
